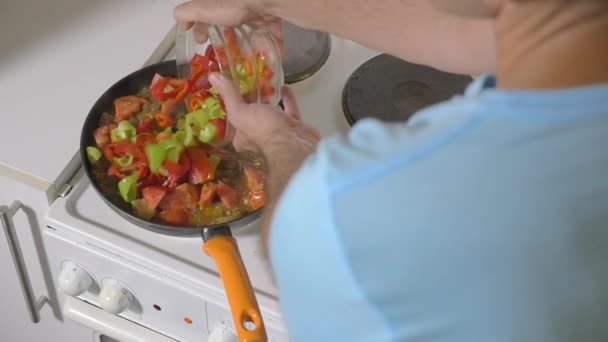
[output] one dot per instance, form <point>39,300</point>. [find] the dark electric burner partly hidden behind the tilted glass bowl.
<point>305,52</point>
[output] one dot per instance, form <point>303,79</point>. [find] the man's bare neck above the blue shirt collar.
<point>552,44</point>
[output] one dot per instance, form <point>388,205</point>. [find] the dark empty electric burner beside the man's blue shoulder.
<point>390,89</point>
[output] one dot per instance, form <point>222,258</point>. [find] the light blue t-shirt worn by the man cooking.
<point>484,218</point>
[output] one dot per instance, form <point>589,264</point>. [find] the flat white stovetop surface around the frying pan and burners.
<point>90,221</point>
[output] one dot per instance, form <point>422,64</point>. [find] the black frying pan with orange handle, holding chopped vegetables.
<point>218,242</point>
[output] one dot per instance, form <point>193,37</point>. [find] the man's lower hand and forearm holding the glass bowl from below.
<point>281,136</point>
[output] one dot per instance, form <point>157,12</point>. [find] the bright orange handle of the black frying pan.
<point>222,247</point>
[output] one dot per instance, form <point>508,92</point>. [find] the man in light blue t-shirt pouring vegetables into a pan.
<point>483,219</point>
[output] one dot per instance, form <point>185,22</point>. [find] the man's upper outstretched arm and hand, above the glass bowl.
<point>409,29</point>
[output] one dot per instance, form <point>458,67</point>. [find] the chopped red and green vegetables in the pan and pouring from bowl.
<point>163,159</point>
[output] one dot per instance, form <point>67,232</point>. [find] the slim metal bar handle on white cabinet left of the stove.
<point>33,306</point>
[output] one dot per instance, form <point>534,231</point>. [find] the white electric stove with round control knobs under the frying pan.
<point>135,285</point>
